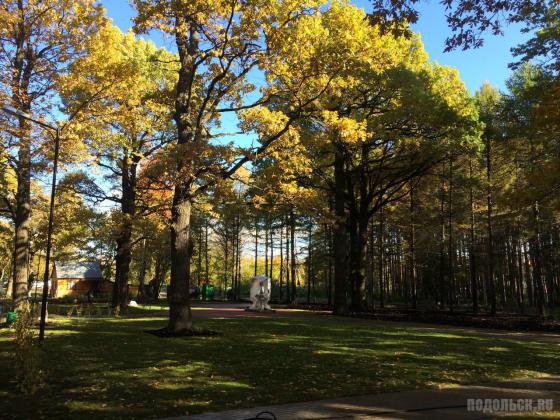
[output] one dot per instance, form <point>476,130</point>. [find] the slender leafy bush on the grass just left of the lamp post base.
<point>29,375</point>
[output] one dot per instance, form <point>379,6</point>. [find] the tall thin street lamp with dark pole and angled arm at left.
<point>56,130</point>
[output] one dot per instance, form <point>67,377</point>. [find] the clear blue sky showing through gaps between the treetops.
<point>489,63</point>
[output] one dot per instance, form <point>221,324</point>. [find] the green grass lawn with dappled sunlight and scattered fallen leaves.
<point>106,367</point>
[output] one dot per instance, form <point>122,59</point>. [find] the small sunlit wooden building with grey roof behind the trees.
<point>78,279</point>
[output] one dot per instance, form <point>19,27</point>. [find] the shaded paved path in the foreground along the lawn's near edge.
<point>431,404</point>
